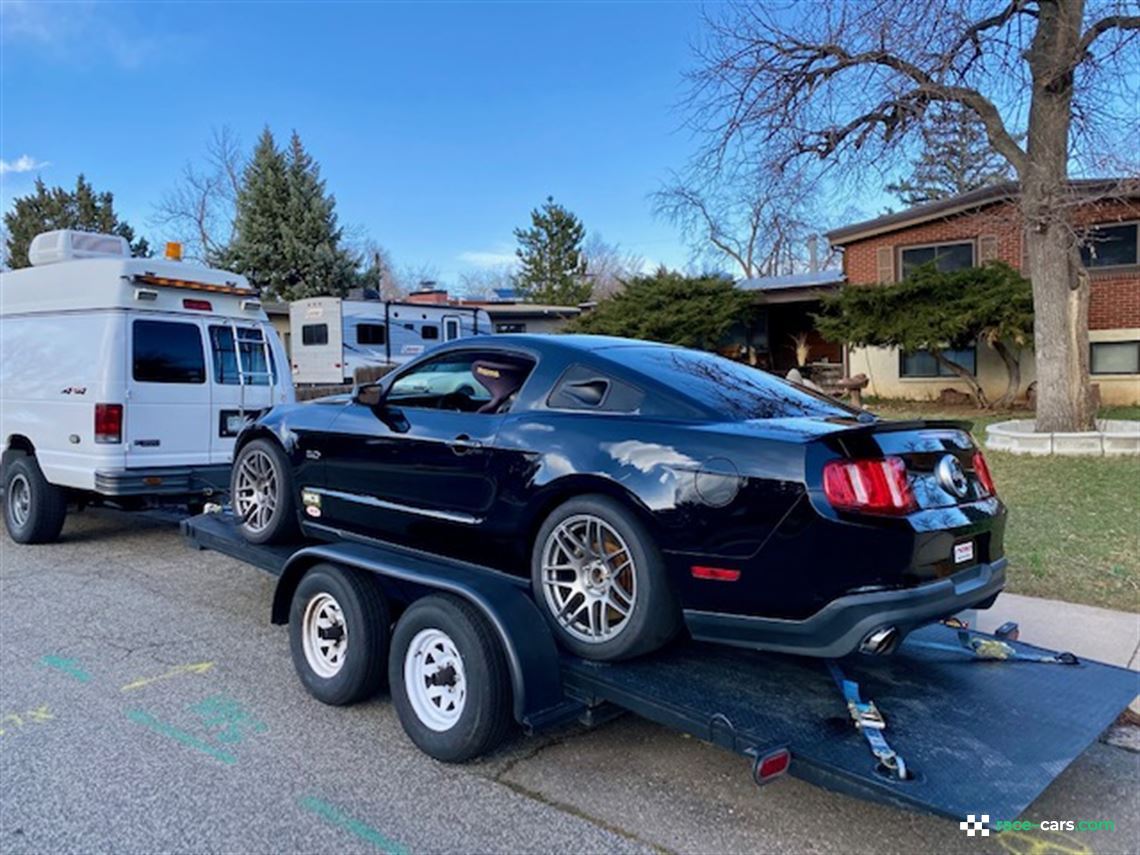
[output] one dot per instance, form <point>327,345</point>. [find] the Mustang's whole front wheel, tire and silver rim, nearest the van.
<point>262,492</point>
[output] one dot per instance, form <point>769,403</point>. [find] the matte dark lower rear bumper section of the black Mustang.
<point>838,628</point>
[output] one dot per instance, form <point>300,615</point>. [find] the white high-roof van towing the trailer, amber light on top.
<point>125,379</point>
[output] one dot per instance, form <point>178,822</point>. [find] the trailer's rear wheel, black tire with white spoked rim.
<point>471,715</point>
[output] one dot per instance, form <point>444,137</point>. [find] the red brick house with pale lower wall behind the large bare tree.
<point>984,225</point>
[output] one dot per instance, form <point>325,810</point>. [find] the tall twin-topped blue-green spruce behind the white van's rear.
<point>287,239</point>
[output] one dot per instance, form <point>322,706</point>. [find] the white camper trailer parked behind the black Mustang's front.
<point>332,339</point>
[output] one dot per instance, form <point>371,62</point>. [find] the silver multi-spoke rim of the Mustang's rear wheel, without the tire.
<point>589,579</point>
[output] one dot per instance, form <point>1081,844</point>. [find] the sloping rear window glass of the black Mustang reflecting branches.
<point>734,390</point>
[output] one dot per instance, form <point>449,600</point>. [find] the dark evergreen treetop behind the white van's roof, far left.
<point>46,209</point>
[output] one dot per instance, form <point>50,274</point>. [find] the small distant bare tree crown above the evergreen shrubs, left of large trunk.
<point>759,223</point>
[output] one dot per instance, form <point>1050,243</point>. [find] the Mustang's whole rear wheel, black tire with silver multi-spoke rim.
<point>609,609</point>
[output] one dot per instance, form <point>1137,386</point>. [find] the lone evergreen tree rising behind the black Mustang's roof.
<point>550,251</point>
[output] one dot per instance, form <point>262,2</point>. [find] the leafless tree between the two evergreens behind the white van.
<point>201,209</point>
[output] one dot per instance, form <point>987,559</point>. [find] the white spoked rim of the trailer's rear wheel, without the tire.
<point>435,680</point>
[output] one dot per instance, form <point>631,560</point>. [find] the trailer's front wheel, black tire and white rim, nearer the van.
<point>337,599</point>
